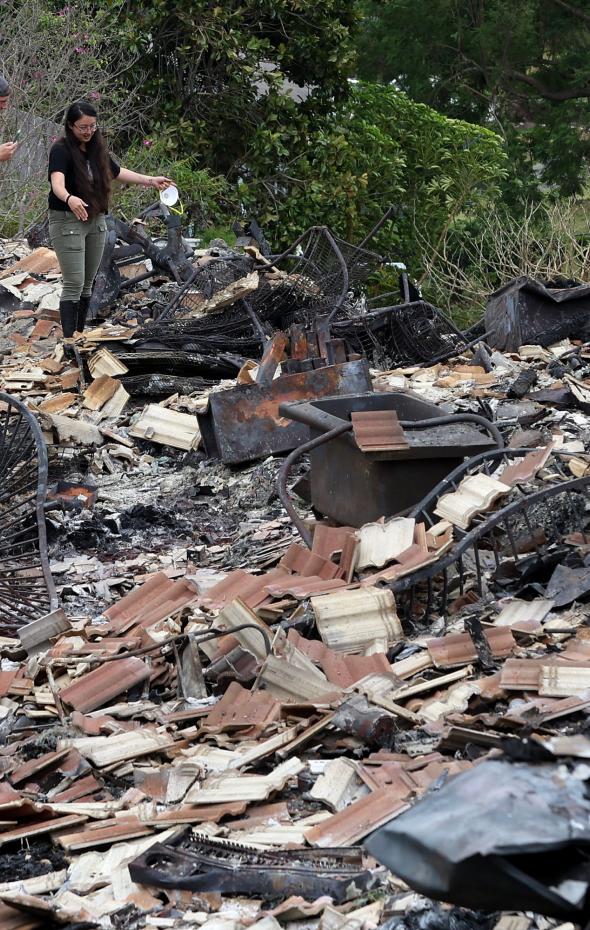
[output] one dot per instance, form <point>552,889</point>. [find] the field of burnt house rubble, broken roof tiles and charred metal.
<point>209,703</point>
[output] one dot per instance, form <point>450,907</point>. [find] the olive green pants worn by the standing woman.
<point>79,247</point>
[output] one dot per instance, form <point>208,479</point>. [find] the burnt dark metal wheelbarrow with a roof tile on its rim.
<point>352,486</point>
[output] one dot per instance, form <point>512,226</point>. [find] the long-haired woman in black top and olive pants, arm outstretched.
<point>81,172</point>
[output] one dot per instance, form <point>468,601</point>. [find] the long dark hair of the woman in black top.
<point>95,189</point>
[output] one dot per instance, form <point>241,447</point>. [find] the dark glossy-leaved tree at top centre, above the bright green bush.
<point>217,71</point>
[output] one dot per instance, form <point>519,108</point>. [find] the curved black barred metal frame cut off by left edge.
<point>22,596</point>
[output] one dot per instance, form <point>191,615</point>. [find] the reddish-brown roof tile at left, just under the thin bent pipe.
<point>97,688</point>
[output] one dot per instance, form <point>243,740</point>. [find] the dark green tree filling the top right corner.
<point>521,67</point>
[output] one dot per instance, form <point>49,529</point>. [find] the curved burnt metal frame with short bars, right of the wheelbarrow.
<point>466,540</point>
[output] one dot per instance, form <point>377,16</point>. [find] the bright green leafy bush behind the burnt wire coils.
<point>376,149</point>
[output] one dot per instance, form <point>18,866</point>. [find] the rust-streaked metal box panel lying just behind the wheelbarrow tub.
<point>244,423</point>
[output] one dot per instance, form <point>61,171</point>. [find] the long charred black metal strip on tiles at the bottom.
<point>202,864</point>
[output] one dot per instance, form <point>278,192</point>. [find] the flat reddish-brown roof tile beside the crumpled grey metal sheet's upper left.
<point>357,820</point>
